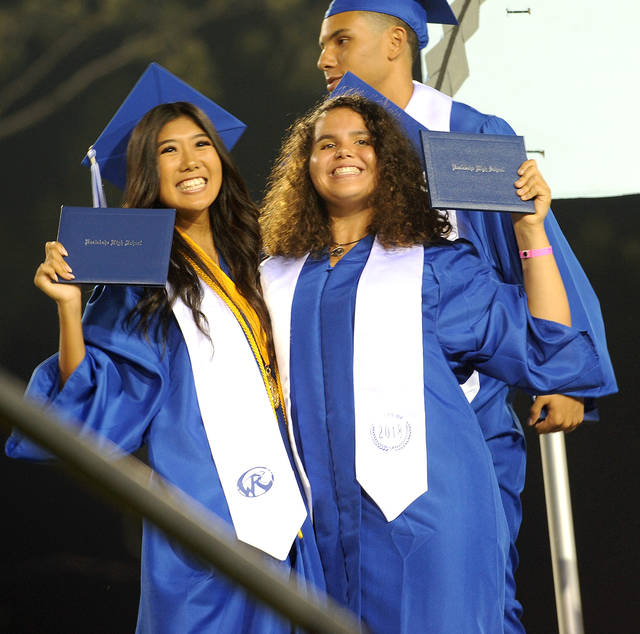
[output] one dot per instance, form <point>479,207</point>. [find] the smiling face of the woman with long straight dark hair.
<point>189,167</point>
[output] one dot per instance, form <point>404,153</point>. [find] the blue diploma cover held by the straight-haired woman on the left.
<point>116,245</point>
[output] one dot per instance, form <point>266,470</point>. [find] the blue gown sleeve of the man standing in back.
<point>492,234</point>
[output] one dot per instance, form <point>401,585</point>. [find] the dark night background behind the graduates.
<point>69,560</point>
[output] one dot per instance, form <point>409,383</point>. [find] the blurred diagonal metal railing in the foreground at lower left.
<point>130,482</point>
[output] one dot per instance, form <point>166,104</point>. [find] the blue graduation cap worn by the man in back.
<point>416,13</point>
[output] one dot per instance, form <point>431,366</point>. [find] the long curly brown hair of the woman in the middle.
<point>294,219</point>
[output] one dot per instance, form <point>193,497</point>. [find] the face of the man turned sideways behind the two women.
<point>351,41</point>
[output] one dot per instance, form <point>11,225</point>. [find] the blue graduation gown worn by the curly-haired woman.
<point>439,566</point>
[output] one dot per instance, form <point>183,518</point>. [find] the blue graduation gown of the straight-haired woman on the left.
<point>136,391</point>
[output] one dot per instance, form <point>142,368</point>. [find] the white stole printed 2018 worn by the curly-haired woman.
<point>391,454</point>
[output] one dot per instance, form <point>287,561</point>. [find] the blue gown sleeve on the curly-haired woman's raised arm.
<point>485,324</point>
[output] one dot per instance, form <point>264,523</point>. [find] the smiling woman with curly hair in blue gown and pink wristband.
<point>376,317</point>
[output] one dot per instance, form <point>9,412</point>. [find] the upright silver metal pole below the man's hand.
<point>561,535</point>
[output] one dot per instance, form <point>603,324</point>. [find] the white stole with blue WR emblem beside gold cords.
<point>259,485</point>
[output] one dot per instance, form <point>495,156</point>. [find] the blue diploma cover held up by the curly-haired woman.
<point>474,172</point>
